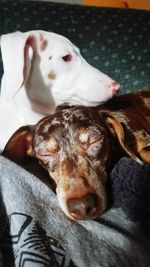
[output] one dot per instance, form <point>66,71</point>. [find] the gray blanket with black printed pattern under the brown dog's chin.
<point>35,232</point>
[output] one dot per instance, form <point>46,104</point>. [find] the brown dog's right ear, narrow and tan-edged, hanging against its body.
<point>115,127</point>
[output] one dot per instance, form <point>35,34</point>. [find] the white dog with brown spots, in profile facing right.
<point>42,70</point>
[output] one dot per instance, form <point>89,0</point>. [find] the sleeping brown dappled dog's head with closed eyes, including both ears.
<point>73,145</point>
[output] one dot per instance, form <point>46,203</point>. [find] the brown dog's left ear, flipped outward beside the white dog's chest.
<point>20,145</point>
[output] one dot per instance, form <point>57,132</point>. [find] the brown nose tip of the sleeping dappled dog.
<point>83,208</point>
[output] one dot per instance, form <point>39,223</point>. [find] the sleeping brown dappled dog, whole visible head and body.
<point>78,145</point>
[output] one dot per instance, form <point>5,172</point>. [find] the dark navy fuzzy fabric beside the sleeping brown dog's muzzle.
<point>131,191</point>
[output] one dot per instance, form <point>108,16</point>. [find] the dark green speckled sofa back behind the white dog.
<point>116,41</point>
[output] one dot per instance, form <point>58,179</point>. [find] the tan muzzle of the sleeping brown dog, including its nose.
<point>80,192</point>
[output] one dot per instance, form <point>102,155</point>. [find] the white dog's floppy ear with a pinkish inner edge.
<point>17,54</point>
